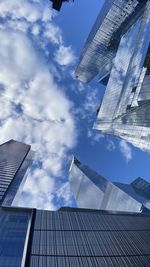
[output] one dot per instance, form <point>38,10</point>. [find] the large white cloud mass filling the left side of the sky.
<point>34,109</point>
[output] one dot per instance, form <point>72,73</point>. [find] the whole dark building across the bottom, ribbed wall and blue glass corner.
<point>73,237</point>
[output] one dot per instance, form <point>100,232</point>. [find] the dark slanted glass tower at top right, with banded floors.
<point>115,18</point>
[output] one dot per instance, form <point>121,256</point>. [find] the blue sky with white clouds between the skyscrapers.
<point>42,104</point>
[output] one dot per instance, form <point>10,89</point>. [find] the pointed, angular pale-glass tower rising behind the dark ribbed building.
<point>92,191</point>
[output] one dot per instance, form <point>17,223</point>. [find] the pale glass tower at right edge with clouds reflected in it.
<point>125,108</point>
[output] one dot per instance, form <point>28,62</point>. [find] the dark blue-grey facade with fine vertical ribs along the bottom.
<point>76,237</point>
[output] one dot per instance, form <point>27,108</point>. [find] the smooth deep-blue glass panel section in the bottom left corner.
<point>13,231</point>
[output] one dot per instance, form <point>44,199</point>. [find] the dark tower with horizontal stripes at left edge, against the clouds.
<point>15,158</point>
